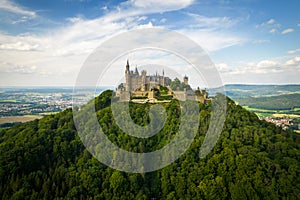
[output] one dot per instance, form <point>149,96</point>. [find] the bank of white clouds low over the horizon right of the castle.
<point>275,71</point>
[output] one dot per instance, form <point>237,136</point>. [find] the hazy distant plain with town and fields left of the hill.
<point>32,103</point>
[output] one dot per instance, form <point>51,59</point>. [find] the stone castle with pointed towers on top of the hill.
<point>143,88</point>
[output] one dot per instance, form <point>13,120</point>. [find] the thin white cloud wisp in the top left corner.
<point>14,8</point>
